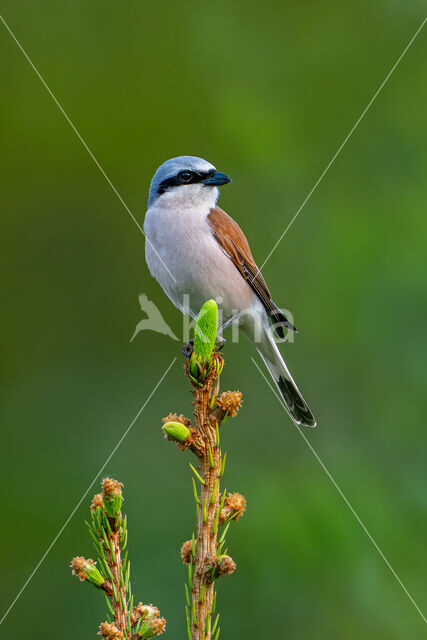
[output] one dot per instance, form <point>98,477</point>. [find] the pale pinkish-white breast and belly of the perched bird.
<point>184,257</point>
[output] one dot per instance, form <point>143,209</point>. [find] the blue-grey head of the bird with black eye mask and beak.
<point>183,172</point>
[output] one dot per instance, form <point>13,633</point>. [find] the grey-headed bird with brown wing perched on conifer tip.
<point>196,252</point>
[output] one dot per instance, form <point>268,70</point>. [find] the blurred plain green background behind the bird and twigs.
<point>267,92</point>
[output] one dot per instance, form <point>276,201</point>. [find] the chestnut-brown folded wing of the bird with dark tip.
<point>233,242</point>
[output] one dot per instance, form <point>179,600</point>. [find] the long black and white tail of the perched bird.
<point>297,407</point>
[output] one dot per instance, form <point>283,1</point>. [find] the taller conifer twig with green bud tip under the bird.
<point>204,552</point>
